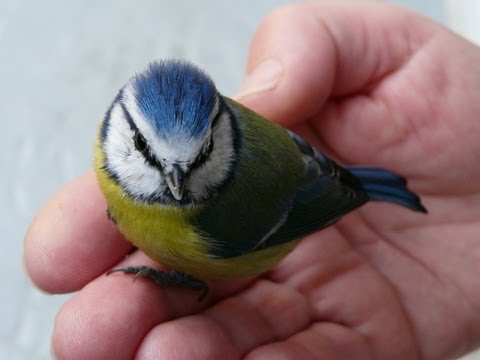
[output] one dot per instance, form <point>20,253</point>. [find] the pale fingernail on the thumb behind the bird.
<point>264,77</point>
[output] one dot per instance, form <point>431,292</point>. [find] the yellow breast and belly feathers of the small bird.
<point>166,234</point>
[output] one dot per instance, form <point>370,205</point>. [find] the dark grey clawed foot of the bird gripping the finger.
<point>165,278</point>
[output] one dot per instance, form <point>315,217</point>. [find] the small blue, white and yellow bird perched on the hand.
<point>211,189</point>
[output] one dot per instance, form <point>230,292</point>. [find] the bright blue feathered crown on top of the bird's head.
<point>176,97</point>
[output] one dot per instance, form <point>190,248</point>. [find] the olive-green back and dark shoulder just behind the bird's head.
<point>266,177</point>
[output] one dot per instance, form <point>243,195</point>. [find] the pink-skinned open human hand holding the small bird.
<point>369,84</point>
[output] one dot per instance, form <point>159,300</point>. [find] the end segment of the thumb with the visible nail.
<point>283,68</point>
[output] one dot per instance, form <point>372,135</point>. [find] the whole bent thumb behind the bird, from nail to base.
<point>305,53</point>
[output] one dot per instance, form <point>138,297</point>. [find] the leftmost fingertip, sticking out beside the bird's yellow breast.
<point>71,241</point>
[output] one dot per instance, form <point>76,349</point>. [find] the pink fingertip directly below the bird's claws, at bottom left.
<point>108,318</point>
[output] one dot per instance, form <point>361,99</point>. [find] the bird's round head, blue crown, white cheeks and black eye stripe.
<point>168,137</point>
